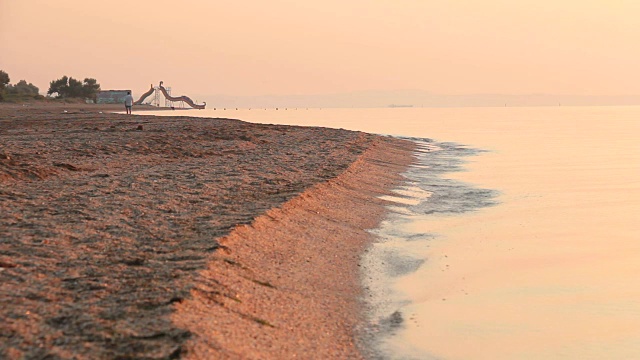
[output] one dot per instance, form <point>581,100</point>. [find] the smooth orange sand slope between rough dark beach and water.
<point>293,276</point>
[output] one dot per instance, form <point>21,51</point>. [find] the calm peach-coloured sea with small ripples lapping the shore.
<point>516,235</point>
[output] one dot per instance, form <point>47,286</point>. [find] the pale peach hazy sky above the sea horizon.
<point>300,47</point>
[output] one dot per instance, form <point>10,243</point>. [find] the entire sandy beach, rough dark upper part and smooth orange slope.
<point>146,237</point>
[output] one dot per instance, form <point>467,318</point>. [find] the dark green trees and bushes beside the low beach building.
<point>65,87</point>
